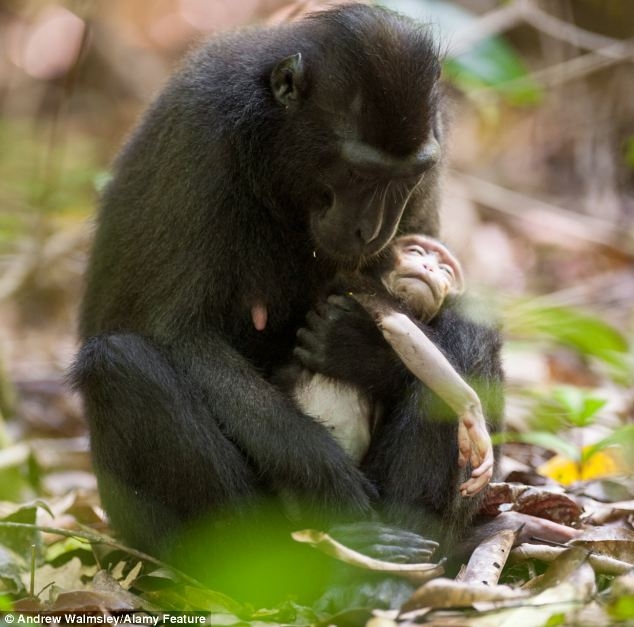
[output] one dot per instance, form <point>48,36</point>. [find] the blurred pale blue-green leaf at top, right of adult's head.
<point>489,63</point>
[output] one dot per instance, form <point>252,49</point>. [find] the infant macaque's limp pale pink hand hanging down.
<point>474,445</point>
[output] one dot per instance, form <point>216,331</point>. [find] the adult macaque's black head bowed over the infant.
<point>360,132</point>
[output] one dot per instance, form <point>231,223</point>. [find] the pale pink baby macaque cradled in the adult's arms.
<point>421,274</point>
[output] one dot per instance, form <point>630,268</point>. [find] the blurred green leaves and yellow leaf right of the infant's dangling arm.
<point>558,409</point>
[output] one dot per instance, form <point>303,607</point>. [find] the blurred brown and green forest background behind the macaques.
<point>539,206</point>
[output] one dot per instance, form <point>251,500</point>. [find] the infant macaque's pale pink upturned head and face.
<point>424,274</point>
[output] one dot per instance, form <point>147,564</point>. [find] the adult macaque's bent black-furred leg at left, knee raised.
<point>159,459</point>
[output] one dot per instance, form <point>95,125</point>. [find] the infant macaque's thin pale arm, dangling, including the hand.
<point>424,359</point>
